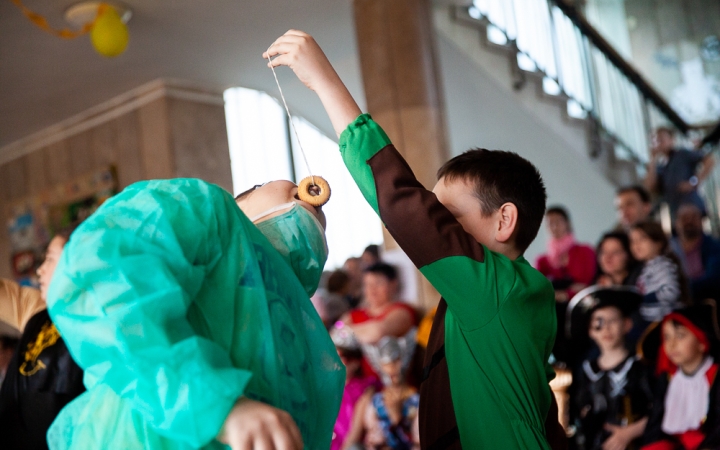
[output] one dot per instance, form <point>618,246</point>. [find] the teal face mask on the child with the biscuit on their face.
<point>300,239</point>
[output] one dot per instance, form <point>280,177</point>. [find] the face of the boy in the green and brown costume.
<point>459,198</point>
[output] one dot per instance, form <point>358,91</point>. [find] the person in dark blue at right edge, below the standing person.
<point>699,253</point>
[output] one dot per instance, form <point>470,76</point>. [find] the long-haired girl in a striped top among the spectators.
<point>661,280</point>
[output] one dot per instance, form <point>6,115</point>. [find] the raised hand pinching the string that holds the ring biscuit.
<point>300,52</point>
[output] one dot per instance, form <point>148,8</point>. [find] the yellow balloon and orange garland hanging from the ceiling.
<point>108,33</point>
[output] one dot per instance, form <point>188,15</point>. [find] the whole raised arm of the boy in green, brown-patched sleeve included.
<point>423,227</point>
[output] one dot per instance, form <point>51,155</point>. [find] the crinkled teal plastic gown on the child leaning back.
<point>176,305</point>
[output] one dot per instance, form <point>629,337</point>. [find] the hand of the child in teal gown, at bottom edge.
<point>255,425</point>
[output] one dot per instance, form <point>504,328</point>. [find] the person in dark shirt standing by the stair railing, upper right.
<point>674,173</point>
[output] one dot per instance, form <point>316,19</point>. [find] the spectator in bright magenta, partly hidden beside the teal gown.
<point>356,385</point>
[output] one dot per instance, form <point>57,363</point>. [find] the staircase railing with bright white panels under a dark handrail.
<point>576,62</point>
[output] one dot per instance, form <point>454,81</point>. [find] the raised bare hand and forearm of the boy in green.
<point>300,52</point>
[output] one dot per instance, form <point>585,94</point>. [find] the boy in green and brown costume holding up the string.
<point>486,371</point>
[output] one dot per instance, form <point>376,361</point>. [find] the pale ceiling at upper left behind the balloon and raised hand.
<point>44,79</point>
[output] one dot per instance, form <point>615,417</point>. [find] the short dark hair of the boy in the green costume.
<point>503,177</point>
